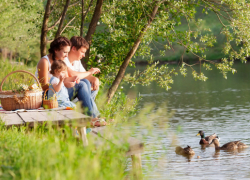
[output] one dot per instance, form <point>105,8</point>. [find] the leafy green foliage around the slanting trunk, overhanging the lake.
<point>123,20</point>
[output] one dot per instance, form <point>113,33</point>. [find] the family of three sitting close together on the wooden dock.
<point>62,71</point>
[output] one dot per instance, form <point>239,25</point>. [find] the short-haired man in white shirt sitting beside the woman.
<point>78,49</point>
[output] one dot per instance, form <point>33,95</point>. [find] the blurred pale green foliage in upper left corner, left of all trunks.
<point>20,27</point>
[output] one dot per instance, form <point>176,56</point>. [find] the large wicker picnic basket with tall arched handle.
<point>30,99</point>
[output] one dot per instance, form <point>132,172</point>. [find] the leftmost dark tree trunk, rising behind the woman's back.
<point>45,29</point>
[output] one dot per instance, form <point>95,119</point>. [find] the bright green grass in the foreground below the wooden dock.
<point>50,154</point>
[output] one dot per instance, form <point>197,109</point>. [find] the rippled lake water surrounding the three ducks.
<point>220,106</point>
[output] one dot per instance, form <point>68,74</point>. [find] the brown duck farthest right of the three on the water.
<point>228,146</point>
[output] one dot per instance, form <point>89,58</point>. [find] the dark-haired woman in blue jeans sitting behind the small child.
<point>59,50</point>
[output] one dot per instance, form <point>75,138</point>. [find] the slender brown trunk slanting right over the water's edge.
<point>125,63</point>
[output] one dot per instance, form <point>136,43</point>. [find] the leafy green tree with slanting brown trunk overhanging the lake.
<point>121,30</point>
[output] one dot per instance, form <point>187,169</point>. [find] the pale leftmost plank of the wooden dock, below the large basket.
<point>11,119</point>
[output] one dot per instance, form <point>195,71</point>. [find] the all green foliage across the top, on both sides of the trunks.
<point>176,22</point>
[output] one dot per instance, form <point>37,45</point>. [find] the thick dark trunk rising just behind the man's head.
<point>92,27</point>
